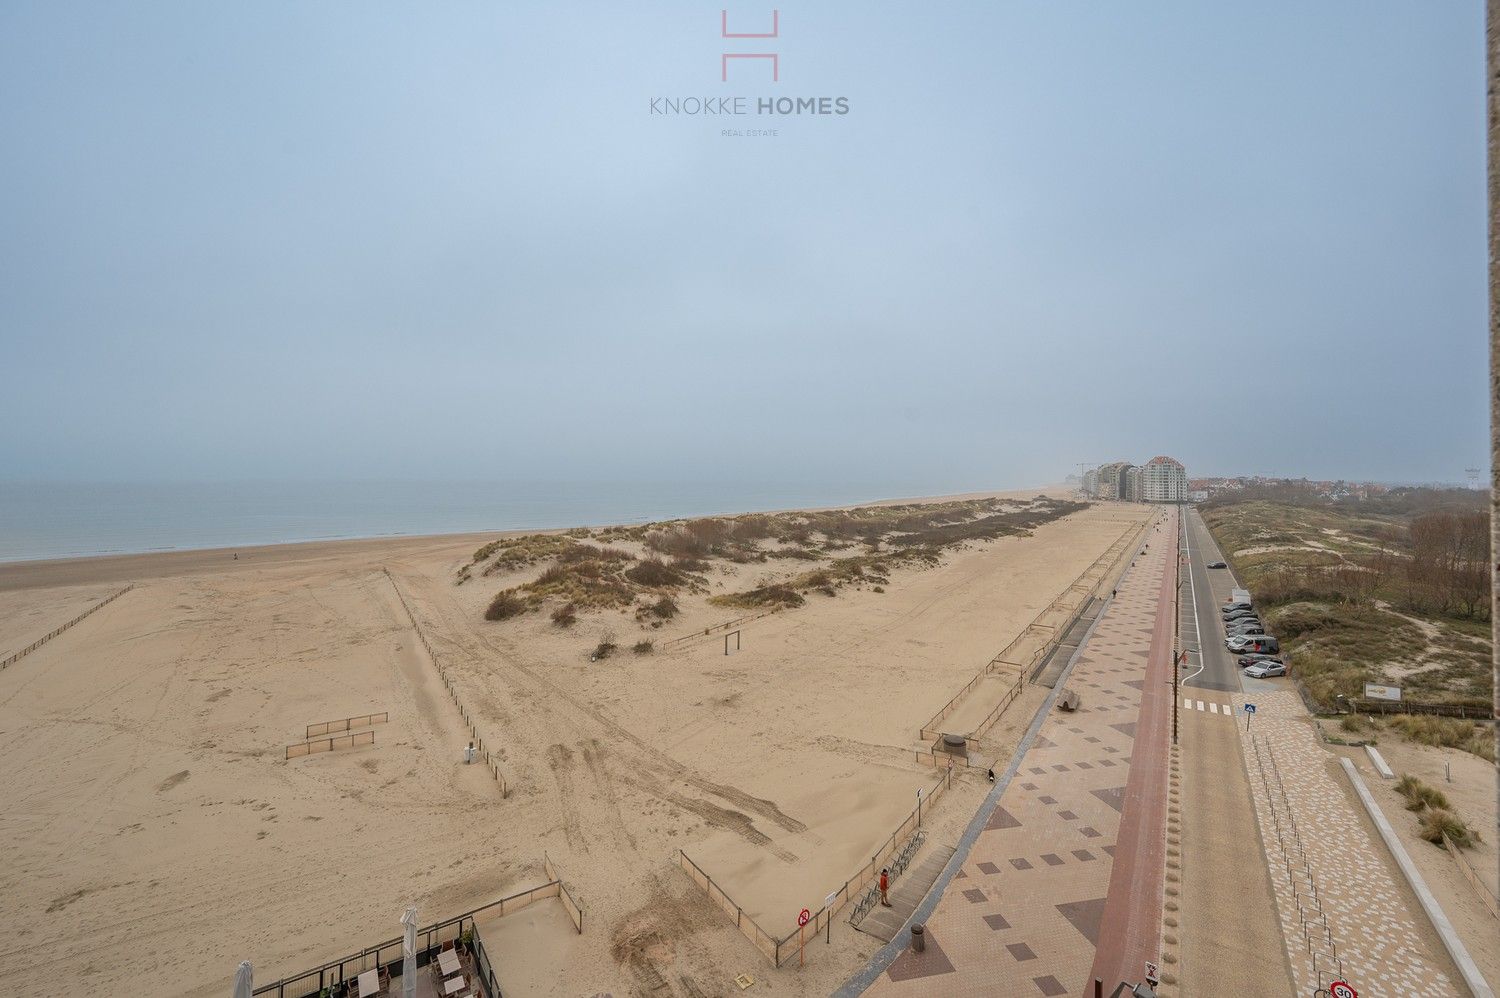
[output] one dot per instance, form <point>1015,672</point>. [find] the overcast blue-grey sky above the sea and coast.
<point>452,241</point>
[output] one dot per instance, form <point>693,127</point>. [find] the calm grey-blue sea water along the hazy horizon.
<point>62,522</point>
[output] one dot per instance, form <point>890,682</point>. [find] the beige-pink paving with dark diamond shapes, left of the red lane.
<point>1024,915</point>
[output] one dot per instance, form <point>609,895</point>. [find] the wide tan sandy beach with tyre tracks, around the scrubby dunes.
<point>160,835</point>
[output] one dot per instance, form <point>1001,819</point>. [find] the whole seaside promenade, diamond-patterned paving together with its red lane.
<point>1066,880</point>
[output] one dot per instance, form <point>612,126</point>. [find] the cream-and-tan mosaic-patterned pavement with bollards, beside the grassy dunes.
<point>1342,907</point>
